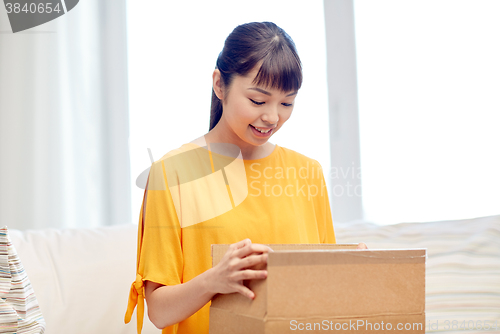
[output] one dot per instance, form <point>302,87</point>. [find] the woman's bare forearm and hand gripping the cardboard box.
<point>170,304</point>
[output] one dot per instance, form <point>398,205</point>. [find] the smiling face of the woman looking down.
<point>252,114</point>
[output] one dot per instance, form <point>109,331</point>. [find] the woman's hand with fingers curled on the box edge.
<point>228,275</point>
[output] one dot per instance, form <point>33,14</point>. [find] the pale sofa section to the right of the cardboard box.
<point>462,268</point>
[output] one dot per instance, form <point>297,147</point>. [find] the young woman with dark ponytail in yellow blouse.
<point>207,193</point>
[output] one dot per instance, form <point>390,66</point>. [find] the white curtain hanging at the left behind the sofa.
<point>64,158</point>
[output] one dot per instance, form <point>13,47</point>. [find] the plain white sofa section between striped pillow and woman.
<point>82,277</point>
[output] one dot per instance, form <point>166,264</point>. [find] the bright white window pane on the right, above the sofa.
<point>429,87</point>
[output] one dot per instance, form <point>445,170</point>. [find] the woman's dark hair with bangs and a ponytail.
<point>245,47</point>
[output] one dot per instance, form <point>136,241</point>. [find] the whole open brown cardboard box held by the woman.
<point>327,287</point>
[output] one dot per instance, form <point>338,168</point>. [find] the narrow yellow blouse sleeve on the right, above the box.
<point>324,214</point>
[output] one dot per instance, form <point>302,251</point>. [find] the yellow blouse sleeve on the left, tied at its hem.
<point>159,250</point>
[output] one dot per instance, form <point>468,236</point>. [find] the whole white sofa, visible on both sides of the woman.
<point>82,277</point>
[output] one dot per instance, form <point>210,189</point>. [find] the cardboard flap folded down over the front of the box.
<point>312,283</point>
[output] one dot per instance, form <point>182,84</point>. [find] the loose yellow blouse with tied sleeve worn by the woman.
<point>196,198</point>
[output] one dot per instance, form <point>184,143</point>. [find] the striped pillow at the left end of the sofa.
<point>19,310</point>
